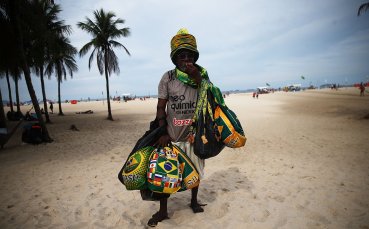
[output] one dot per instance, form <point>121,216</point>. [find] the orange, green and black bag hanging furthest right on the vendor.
<point>229,127</point>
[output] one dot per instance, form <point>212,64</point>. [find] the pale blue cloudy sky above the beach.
<point>243,44</point>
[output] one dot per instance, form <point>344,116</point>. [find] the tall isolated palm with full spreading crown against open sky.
<point>103,30</point>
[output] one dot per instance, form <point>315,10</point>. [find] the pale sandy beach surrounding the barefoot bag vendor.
<point>305,165</point>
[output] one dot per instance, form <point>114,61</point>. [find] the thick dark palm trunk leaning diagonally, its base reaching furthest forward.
<point>14,16</point>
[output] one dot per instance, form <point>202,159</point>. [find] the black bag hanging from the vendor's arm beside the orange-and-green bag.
<point>207,138</point>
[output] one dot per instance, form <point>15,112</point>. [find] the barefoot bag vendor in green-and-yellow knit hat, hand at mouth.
<point>177,97</point>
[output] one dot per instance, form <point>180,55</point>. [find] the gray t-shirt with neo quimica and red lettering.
<point>180,107</point>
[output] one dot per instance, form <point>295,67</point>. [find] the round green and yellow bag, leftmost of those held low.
<point>134,170</point>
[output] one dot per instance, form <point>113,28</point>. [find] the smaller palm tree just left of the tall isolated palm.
<point>62,62</point>
